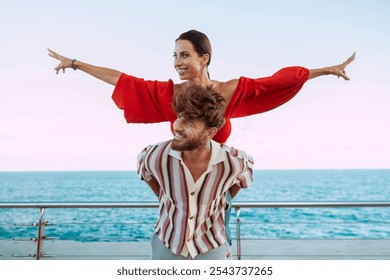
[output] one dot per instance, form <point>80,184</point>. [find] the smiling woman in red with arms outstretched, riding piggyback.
<point>192,56</point>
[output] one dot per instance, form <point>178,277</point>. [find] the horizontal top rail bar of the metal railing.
<point>271,204</point>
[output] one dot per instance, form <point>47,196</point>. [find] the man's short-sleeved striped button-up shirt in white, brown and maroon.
<point>191,214</point>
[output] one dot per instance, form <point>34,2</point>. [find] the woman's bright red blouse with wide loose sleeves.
<point>151,101</point>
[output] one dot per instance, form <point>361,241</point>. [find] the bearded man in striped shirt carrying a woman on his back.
<point>191,175</point>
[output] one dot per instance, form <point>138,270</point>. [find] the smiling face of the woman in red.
<point>187,62</point>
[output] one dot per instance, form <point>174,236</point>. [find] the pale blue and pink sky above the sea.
<point>68,121</point>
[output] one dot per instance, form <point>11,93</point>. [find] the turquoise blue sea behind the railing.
<point>116,225</point>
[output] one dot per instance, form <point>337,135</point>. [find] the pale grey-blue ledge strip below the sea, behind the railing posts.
<point>362,249</point>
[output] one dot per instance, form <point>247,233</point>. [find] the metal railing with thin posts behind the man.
<point>139,205</point>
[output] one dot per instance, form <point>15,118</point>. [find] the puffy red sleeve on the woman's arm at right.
<point>254,96</point>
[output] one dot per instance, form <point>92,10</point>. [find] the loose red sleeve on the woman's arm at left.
<point>144,101</point>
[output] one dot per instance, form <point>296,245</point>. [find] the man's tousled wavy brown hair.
<point>199,103</point>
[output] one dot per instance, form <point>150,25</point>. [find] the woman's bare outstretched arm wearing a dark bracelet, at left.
<point>108,75</point>
